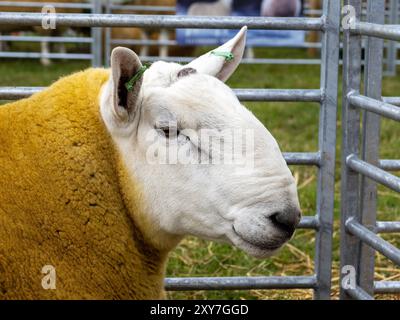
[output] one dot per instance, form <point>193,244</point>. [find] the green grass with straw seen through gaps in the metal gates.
<point>295,126</point>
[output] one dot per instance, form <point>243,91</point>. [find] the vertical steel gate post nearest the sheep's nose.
<point>327,146</point>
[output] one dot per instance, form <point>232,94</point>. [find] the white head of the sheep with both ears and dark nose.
<point>251,203</point>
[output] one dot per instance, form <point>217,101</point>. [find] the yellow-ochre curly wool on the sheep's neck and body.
<point>62,203</point>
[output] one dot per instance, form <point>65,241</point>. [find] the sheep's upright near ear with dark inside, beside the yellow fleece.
<point>125,64</point>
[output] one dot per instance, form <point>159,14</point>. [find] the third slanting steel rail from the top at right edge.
<point>373,172</point>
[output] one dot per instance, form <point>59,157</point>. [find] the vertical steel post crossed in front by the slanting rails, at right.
<point>370,141</point>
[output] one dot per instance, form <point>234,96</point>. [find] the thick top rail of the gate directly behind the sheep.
<point>164,21</point>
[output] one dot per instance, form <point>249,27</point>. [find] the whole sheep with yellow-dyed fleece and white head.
<point>79,194</point>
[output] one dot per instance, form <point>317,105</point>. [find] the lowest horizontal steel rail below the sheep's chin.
<point>240,283</point>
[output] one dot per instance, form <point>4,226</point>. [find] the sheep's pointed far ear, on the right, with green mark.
<point>217,63</point>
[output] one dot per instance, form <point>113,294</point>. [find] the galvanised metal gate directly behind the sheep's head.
<point>324,158</point>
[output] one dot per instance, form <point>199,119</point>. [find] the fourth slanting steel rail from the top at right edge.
<point>374,241</point>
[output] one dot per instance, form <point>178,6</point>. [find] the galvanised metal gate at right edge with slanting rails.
<point>361,167</point>
